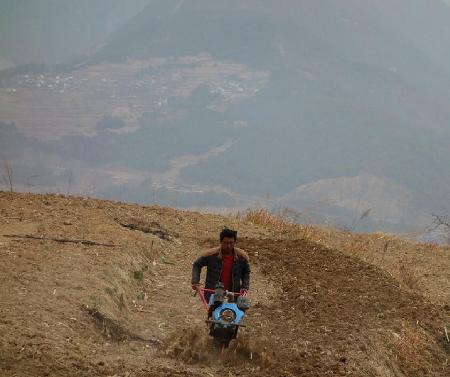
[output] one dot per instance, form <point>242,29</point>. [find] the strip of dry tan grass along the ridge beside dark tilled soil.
<point>419,267</point>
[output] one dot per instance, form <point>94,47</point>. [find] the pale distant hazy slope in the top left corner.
<point>51,31</point>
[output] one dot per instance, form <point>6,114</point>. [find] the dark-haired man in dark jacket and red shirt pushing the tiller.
<point>226,264</point>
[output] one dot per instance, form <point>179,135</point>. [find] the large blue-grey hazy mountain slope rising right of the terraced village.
<point>355,86</point>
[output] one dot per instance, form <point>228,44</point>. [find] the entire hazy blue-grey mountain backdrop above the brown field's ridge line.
<point>337,110</point>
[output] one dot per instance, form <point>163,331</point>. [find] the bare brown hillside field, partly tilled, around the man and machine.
<point>77,309</point>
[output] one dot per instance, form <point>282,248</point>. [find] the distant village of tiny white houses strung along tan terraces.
<point>159,83</point>
